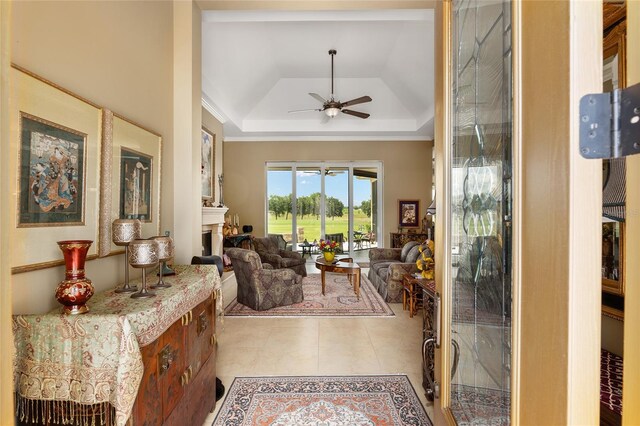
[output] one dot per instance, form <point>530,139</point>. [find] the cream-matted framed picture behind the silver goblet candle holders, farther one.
<point>130,179</point>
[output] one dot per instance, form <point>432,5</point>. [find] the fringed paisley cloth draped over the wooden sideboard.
<point>73,362</point>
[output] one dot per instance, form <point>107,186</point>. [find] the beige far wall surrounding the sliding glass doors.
<point>407,173</point>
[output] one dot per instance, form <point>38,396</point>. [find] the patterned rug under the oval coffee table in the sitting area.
<point>339,300</point>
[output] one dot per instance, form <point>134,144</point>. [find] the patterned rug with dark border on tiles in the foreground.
<point>310,400</point>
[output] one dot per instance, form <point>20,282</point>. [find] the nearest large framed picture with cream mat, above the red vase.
<point>56,138</point>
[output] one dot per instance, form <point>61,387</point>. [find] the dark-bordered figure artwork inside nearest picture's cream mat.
<point>52,169</point>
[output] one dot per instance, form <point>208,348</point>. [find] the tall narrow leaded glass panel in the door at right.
<point>480,199</point>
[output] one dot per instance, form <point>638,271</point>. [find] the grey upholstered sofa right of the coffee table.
<point>387,266</point>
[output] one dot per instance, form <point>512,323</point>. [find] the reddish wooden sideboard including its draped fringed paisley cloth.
<point>85,369</point>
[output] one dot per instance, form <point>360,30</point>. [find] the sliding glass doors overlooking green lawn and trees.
<point>309,201</point>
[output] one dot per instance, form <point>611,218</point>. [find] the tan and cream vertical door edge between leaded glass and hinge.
<point>560,309</point>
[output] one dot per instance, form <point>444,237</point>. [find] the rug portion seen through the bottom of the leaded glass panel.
<point>480,406</point>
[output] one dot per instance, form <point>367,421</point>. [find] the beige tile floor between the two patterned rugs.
<point>321,346</point>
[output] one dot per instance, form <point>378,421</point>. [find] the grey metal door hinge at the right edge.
<point>610,123</point>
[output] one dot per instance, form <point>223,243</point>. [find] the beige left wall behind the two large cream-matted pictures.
<point>117,55</point>
